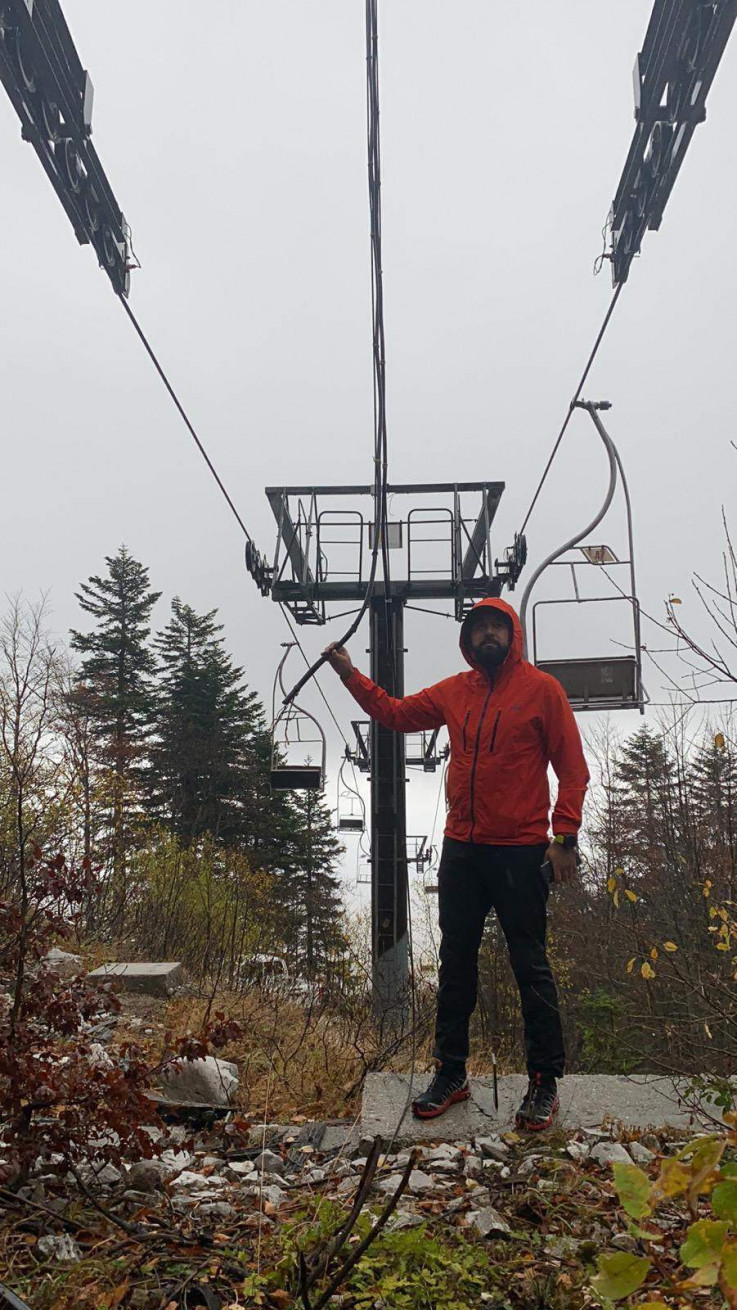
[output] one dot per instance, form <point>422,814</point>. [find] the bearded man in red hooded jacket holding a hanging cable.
<point>507,722</point>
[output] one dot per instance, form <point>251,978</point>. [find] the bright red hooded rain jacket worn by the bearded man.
<point>503,737</point>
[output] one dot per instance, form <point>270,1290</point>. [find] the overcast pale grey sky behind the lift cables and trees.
<point>235,140</point>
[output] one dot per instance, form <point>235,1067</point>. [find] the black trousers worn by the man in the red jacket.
<point>472,881</point>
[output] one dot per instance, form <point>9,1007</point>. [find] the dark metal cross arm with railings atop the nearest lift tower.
<point>324,552</point>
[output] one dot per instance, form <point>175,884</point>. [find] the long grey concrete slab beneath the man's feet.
<point>643,1101</point>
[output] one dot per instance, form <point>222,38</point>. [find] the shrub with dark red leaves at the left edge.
<point>61,1093</point>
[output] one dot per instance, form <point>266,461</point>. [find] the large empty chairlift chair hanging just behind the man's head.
<point>603,683</point>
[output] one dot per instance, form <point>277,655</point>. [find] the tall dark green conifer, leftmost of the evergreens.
<point>116,671</point>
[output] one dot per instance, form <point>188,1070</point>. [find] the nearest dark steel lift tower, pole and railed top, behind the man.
<point>440,551</point>
